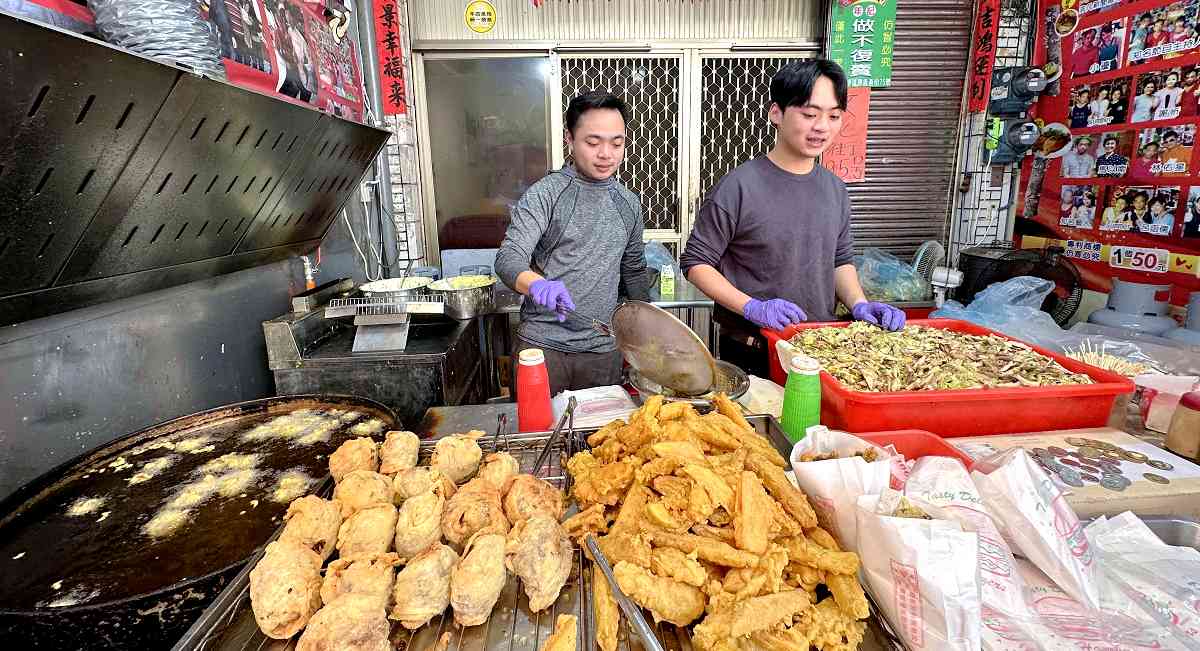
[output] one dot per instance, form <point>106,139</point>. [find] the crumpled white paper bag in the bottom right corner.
<point>1162,581</point>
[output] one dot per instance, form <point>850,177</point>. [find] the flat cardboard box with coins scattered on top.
<point>1180,497</point>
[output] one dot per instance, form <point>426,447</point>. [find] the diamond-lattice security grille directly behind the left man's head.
<point>651,88</point>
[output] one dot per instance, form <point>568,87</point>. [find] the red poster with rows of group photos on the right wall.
<point>1112,178</point>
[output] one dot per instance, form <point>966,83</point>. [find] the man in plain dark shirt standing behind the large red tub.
<point>772,243</point>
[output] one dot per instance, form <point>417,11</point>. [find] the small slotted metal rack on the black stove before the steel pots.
<point>383,324</point>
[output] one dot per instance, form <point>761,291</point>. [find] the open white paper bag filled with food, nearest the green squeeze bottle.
<point>835,486</point>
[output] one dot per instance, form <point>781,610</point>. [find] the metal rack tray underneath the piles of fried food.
<point>229,625</point>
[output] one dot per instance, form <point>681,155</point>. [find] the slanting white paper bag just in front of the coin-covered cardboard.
<point>1036,521</point>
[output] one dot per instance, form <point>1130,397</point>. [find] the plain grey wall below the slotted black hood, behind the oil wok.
<point>76,381</point>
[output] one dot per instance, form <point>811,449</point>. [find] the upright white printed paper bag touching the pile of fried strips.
<point>925,576</point>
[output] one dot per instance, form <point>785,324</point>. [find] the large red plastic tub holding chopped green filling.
<point>964,413</point>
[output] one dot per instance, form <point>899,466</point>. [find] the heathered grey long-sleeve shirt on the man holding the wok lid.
<point>586,235</point>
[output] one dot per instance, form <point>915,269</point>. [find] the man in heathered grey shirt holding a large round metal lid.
<point>577,241</point>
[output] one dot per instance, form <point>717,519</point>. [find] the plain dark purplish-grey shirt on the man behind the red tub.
<point>775,235</point>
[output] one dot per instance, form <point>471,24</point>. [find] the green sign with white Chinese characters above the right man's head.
<point>862,40</point>
